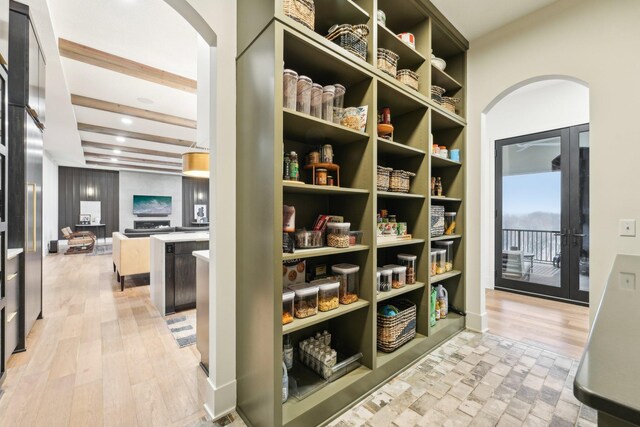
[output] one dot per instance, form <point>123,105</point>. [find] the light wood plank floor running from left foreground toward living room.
<point>100,356</point>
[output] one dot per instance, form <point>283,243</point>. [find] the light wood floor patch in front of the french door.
<point>559,327</point>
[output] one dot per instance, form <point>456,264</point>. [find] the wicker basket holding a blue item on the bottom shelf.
<point>394,331</point>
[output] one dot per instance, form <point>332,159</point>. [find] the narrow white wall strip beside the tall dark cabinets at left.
<point>49,201</point>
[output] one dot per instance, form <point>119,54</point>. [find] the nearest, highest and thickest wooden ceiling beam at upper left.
<point>89,55</point>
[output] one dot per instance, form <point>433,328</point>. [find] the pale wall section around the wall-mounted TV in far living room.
<point>149,184</point>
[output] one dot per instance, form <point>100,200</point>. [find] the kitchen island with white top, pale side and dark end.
<point>173,270</point>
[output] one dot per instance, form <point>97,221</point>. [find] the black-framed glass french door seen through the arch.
<point>542,214</point>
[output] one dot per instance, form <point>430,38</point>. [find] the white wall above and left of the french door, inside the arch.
<point>536,107</point>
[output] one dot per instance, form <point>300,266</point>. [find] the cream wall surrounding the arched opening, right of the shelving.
<point>593,41</point>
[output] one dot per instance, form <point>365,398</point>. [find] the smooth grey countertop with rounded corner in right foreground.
<point>609,372</point>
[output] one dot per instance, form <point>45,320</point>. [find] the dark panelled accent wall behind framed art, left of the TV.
<point>79,184</point>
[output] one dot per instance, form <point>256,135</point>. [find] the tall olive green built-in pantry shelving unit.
<point>268,43</point>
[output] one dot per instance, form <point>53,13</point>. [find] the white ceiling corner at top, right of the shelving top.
<point>475,18</point>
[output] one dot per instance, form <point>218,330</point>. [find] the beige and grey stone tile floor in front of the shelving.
<point>473,380</point>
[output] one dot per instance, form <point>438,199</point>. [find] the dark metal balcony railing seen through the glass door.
<point>543,244</point>
